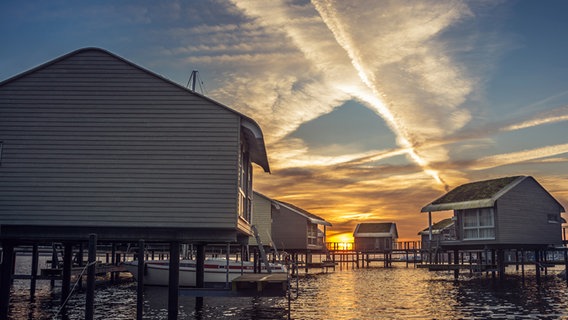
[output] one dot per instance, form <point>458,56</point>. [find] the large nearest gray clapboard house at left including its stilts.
<point>97,150</point>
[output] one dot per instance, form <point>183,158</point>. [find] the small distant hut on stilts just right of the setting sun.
<point>375,237</point>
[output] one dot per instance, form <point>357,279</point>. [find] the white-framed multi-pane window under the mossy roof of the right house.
<point>478,224</point>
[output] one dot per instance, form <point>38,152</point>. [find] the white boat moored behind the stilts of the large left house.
<point>156,272</point>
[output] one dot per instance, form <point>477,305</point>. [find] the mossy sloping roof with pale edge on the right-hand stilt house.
<point>481,194</point>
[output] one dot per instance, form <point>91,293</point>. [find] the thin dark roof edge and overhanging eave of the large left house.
<point>251,129</point>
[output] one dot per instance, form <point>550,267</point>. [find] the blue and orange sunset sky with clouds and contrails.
<point>370,109</point>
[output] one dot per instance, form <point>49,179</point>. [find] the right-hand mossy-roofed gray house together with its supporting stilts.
<point>493,216</point>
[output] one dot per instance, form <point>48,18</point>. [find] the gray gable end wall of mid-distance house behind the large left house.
<point>289,230</point>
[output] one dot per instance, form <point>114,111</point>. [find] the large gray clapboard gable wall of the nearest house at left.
<point>94,141</point>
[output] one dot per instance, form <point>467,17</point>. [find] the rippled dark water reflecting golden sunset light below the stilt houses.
<point>366,293</point>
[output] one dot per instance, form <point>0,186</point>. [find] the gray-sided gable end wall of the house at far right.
<point>522,216</point>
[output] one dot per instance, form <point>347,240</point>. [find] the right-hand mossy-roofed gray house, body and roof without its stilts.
<point>512,212</point>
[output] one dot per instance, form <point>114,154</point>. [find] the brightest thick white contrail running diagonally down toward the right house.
<point>329,17</point>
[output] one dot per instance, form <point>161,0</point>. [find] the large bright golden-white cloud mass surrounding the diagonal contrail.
<point>398,67</point>
